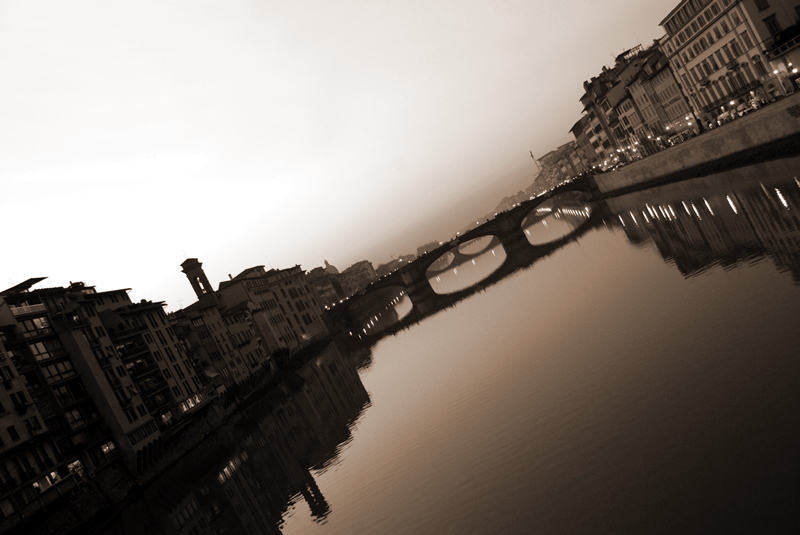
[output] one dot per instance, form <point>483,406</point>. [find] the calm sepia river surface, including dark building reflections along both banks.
<point>644,378</point>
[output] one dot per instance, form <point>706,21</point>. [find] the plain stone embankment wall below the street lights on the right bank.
<point>770,131</point>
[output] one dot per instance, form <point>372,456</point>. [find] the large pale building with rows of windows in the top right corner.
<point>719,50</point>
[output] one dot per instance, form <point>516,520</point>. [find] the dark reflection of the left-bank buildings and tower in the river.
<point>242,479</point>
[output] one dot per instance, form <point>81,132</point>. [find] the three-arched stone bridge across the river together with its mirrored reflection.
<point>514,240</point>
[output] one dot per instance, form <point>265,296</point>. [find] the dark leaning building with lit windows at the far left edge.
<point>58,436</point>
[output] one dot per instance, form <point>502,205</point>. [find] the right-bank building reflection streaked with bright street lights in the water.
<point>722,227</point>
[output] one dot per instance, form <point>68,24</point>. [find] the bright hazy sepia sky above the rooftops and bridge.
<point>135,134</point>
